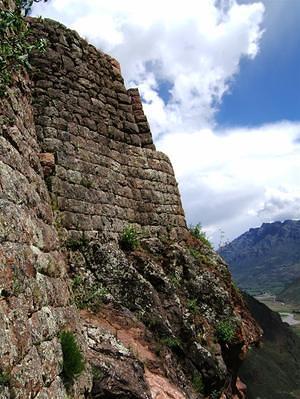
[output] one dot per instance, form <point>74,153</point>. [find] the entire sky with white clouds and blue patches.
<point>220,84</point>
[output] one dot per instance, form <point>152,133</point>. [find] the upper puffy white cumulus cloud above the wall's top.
<point>194,46</point>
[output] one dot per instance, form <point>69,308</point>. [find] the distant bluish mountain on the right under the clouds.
<point>265,258</point>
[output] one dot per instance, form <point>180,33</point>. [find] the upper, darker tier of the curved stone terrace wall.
<point>74,82</point>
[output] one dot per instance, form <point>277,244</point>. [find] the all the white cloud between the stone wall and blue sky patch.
<point>230,179</point>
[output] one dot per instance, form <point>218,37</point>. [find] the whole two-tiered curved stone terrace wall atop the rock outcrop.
<point>107,173</point>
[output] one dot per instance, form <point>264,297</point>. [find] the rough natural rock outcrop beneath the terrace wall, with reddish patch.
<point>168,318</point>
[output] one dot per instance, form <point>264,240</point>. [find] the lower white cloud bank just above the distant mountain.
<point>237,178</point>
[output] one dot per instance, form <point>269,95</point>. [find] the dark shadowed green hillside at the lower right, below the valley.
<point>272,371</point>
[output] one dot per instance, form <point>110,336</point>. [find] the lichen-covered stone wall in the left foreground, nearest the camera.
<point>34,290</point>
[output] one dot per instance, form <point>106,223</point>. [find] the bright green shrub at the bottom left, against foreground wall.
<point>73,362</point>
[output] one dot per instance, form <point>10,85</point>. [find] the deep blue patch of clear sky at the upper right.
<point>267,89</point>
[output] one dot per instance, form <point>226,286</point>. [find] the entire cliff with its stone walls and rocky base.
<point>77,166</point>
